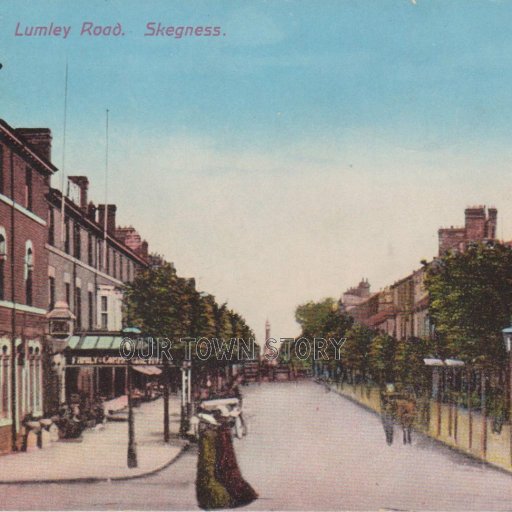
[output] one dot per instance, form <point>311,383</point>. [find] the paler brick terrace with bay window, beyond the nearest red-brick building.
<point>87,268</point>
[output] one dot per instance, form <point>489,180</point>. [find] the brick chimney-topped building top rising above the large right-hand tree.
<point>480,226</point>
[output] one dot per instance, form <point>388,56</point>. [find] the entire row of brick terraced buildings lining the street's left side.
<point>54,250</point>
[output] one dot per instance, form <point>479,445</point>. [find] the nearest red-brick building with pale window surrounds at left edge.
<point>25,170</point>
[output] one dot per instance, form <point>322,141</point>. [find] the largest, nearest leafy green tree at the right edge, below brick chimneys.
<point>471,301</point>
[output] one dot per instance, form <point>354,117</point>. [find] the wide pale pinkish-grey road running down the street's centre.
<point>307,449</point>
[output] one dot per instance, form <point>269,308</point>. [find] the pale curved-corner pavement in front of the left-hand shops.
<point>101,454</point>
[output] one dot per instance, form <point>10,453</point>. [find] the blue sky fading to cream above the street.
<point>310,144</point>
